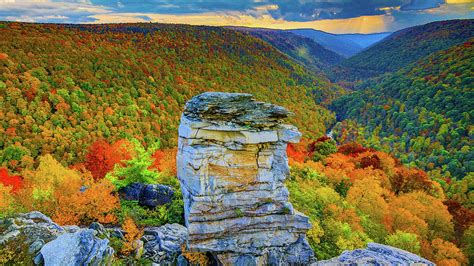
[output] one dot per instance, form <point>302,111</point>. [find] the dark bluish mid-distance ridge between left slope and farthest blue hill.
<point>304,50</point>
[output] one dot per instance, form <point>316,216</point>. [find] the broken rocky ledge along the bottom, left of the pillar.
<point>40,241</point>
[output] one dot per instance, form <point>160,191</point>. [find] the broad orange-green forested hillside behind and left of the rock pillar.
<point>62,87</point>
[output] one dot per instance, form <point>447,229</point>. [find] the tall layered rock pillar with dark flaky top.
<point>231,164</point>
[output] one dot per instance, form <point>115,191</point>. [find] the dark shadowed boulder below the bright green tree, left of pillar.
<point>155,195</point>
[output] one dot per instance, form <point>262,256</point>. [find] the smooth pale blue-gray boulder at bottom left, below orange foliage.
<point>79,248</point>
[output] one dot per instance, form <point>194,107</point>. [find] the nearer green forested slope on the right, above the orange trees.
<point>422,113</point>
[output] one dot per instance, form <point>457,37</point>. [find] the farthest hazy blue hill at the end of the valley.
<point>346,45</point>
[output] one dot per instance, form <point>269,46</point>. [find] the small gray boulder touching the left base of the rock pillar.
<point>163,244</point>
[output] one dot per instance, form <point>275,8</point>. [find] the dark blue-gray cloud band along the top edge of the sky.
<point>292,10</point>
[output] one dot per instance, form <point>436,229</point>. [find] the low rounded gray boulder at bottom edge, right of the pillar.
<point>376,254</point>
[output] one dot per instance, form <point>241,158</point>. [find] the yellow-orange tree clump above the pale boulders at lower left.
<point>68,196</point>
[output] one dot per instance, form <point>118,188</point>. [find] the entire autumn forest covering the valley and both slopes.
<point>89,109</point>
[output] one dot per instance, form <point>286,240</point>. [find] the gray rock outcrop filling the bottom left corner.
<point>34,238</point>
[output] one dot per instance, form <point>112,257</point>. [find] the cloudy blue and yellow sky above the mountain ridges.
<point>336,16</point>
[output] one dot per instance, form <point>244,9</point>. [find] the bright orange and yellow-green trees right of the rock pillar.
<point>354,195</point>
